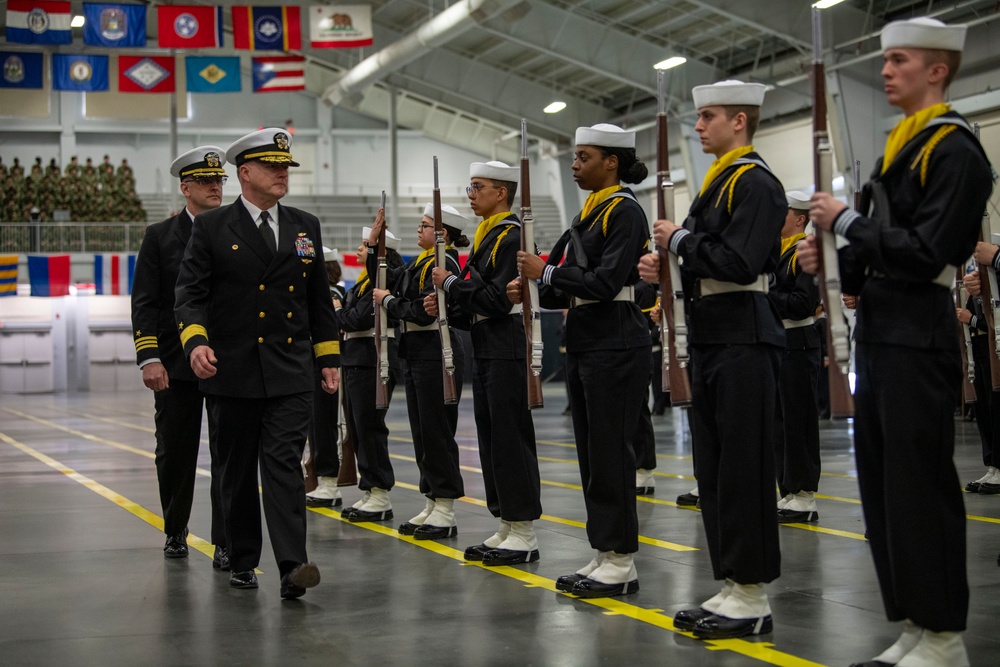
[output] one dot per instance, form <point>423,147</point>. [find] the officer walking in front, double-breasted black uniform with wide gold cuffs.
<point>254,310</point>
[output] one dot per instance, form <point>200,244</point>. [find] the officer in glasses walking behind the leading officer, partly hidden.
<point>165,370</point>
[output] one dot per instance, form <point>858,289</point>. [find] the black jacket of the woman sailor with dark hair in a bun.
<point>612,238</point>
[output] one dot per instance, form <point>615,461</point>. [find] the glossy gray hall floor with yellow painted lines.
<point>83,580</point>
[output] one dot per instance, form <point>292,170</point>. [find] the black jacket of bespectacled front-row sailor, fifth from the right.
<point>410,284</point>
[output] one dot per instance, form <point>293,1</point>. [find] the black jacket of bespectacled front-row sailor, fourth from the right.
<point>490,268</point>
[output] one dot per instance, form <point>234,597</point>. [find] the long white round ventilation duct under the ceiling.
<point>438,31</point>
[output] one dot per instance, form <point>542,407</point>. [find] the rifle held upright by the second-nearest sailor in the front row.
<point>673,322</point>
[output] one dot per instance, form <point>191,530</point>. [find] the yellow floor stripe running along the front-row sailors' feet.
<point>762,651</point>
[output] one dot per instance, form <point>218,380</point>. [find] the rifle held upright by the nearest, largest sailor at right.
<point>838,342</point>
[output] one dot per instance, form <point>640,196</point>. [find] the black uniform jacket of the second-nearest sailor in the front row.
<point>732,234</point>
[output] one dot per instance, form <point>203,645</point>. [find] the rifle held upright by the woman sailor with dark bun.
<point>531,315</point>
